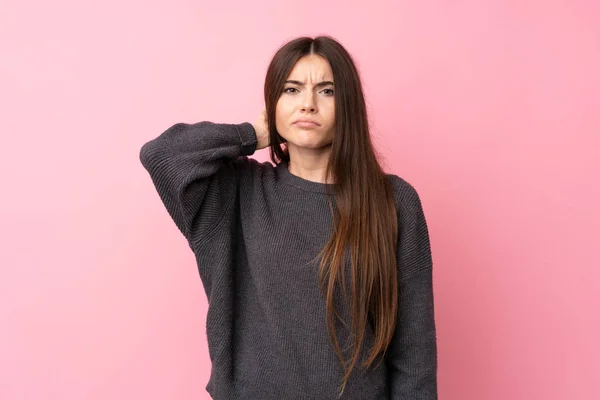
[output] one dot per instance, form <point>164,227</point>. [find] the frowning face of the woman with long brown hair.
<point>307,95</point>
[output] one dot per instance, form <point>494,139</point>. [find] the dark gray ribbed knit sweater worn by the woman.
<point>255,230</point>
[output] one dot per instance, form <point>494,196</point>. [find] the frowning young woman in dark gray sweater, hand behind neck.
<point>318,268</point>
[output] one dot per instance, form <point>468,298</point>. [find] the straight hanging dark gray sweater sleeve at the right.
<point>412,355</point>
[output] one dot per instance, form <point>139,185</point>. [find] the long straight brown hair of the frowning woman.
<point>365,223</point>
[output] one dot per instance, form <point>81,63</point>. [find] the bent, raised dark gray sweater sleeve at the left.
<point>193,167</point>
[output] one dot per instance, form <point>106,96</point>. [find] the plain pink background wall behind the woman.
<point>490,108</point>
